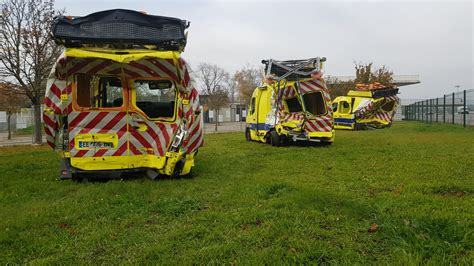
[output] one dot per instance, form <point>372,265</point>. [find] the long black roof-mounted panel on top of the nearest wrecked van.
<point>120,28</point>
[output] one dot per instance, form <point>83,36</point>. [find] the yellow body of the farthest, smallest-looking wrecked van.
<point>361,110</point>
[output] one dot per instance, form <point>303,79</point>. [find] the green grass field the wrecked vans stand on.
<point>252,203</point>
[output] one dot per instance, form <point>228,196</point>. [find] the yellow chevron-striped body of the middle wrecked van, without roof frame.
<point>267,117</point>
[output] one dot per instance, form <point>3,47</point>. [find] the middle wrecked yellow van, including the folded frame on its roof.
<point>292,105</point>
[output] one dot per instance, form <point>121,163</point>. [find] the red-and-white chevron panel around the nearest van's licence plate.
<point>94,123</point>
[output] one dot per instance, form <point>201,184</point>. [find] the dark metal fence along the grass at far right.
<point>453,108</point>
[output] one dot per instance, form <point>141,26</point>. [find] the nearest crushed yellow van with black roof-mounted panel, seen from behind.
<point>120,98</point>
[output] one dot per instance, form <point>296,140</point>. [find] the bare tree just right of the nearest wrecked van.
<point>215,81</point>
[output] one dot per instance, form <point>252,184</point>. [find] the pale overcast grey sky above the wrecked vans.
<point>432,39</point>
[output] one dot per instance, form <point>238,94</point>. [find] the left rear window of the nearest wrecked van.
<point>94,91</point>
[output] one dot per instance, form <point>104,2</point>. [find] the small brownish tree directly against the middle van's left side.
<point>247,79</point>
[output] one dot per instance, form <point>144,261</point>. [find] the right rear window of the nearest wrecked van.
<point>156,98</point>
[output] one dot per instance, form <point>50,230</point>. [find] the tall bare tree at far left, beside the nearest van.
<point>27,51</point>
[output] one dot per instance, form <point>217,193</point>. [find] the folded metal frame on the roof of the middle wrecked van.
<point>292,69</point>
